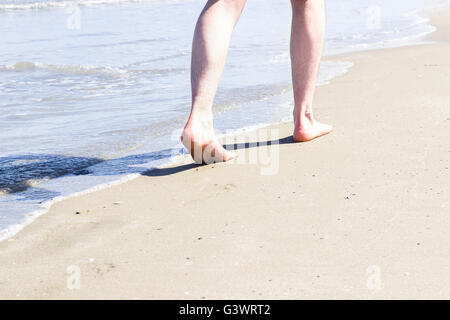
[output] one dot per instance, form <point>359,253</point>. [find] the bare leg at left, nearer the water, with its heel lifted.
<point>209,51</point>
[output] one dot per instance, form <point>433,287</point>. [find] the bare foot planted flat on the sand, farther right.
<point>306,128</point>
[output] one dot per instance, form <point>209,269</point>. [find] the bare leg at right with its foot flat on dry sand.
<point>307,37</point>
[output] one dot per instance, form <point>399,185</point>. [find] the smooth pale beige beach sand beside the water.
<point>361,213</point>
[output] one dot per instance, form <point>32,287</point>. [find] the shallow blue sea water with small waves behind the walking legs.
<point>93,91</point>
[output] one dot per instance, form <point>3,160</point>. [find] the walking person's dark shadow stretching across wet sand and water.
<point>24,172</point>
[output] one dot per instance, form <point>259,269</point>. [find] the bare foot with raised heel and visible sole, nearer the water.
<point>199,139</point>
